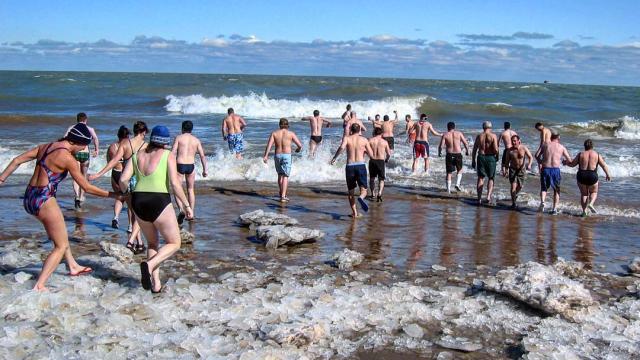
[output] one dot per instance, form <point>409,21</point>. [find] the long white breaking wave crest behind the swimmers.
<point>261,106</point>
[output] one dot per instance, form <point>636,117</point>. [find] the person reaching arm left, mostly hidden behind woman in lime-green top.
<point>126,148</point>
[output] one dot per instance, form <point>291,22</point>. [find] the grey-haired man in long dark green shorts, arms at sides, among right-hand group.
<point>485,148</point>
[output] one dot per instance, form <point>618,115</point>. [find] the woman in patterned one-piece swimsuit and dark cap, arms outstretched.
<point>54,162</point>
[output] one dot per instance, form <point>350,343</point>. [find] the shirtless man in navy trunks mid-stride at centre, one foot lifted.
<point>356,171</point>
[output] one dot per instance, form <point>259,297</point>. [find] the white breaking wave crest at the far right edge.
<point>626,127</point>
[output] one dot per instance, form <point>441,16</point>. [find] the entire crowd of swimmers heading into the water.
<point>144,174</point>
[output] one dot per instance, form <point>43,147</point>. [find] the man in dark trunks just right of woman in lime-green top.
<point>184,149</point>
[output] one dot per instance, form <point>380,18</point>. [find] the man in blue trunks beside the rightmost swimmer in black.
<point>550,158</point>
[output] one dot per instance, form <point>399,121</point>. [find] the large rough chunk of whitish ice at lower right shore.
<point>542,287</point>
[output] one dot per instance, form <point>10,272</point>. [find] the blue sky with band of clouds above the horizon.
<point>586,42</point>
